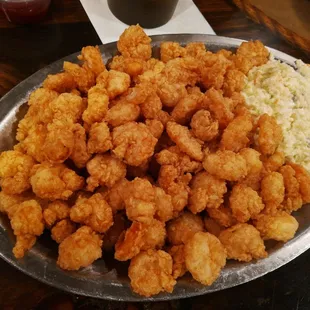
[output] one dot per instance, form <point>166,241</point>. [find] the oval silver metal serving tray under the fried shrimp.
<point>107,278</point>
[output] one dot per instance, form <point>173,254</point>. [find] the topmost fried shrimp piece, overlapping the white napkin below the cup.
<point>134,42</point>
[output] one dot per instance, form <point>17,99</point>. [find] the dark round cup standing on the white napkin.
<point>146,13</point>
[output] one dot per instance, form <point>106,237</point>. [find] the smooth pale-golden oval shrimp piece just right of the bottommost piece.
<point>205,256</point>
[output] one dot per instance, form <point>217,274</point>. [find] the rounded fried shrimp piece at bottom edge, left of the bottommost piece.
<point>79,250</point>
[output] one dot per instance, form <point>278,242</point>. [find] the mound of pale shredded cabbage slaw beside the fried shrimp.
<point>283,92</point>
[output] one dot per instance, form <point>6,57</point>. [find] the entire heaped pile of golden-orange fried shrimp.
<point>156,160</point>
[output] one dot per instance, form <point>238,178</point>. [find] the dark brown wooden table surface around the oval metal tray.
<point>26,49</point>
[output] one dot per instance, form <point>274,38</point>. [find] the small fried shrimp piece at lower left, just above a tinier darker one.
<point>55,211</point>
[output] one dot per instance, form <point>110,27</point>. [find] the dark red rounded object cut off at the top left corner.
<point>24,11</point>
